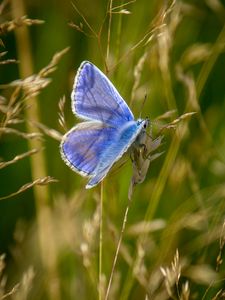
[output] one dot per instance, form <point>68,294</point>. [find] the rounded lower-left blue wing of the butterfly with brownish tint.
<point>82,147</point>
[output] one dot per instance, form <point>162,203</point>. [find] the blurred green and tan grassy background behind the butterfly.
<point>173,52</point>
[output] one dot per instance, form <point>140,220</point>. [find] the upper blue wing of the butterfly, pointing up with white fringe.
<point>95,98</point>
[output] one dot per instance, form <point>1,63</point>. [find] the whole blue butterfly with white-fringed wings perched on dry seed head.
<point>91,147</point>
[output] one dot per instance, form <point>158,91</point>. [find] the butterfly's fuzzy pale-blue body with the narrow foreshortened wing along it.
<point>120,142</point>
